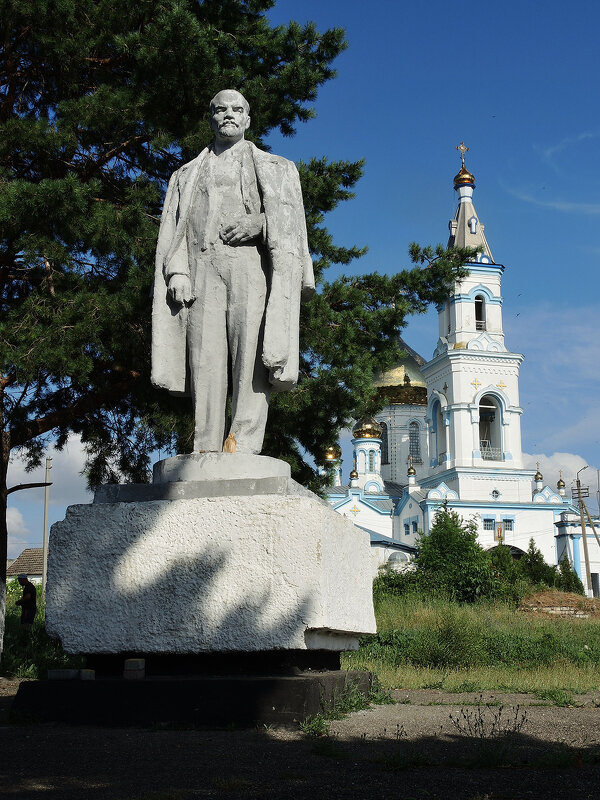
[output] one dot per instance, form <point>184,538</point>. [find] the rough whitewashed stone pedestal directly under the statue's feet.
<point>195,563</point>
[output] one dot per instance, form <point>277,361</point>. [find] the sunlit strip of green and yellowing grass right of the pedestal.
<point>436,644</point>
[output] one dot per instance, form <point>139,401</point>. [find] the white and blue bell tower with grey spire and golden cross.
<point>473,412</point>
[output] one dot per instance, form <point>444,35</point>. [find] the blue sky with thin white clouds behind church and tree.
<point>518,83</point>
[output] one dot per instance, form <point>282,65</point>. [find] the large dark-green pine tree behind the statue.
<point>100,103</point>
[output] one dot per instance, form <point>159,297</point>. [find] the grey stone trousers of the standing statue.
<point>224,335</point>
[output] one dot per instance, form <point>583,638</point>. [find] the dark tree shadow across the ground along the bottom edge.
<point>48,763</point>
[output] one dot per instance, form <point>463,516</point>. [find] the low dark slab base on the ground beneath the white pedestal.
<point>220,701</point>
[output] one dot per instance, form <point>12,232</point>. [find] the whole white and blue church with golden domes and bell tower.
<point>451,431</point>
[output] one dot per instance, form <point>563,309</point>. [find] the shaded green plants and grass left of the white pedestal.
<point>30,653</point>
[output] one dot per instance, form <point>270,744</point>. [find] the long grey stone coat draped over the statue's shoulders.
<point>290,276</point>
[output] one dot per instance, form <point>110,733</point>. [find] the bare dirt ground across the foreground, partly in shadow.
<point>411,750</point>
